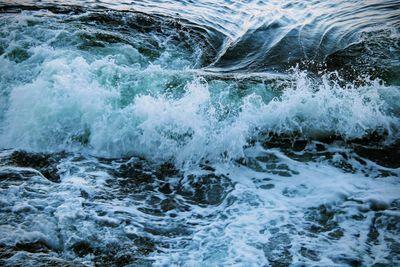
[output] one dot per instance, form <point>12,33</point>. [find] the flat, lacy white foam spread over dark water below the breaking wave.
<point>254,224</point>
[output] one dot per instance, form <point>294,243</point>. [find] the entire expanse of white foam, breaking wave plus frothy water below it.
<point>115,101</point>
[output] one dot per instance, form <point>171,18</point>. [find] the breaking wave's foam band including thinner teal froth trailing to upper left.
<point>116,101</point>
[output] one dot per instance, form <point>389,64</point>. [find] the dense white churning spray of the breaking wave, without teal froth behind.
<point>71,99</point>
